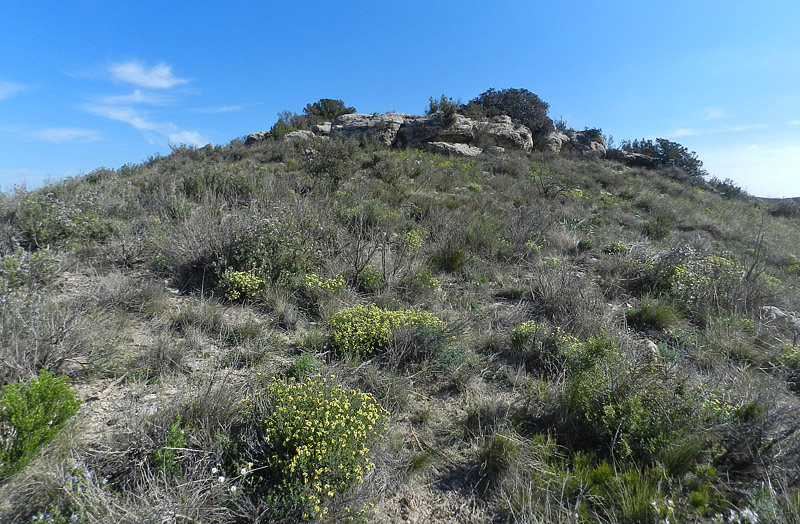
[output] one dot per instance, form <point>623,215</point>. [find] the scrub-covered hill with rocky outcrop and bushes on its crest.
<point>474,315</point>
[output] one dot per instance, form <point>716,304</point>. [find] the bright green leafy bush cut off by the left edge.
<point>30,416</point>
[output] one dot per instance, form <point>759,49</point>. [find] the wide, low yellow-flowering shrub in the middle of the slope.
<point>362,330</point>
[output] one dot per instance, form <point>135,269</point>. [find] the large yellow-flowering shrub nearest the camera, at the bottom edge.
<point>316,435</point>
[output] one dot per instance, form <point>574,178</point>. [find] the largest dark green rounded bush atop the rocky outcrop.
<point>520,104</point>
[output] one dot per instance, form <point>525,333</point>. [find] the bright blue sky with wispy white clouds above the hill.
<point>89,84</point>
